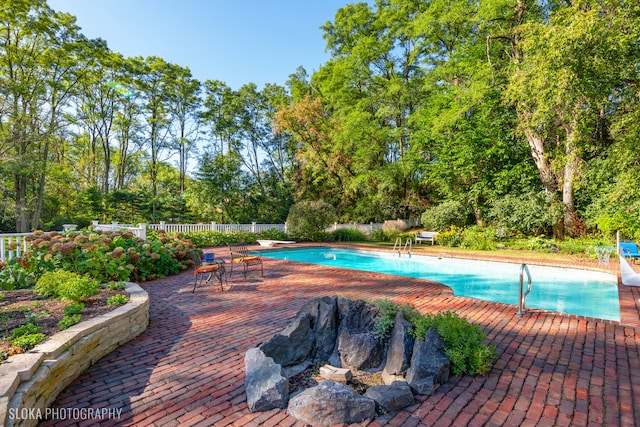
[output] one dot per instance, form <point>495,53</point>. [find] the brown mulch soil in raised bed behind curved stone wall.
<point>21,307</point>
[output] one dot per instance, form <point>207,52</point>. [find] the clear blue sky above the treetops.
<point>235,41</point>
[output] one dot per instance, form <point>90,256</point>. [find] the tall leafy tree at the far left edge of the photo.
<point>42,58</point>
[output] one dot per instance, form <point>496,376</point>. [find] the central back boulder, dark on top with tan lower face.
<point>359,345</point>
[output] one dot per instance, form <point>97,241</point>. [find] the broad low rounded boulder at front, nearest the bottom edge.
<point>331,403</point>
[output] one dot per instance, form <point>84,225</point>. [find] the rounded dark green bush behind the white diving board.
<point>309,219</point>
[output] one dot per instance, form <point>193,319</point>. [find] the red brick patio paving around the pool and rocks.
<point>188,368</point>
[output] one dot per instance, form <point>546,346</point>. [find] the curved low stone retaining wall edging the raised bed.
<point>30,382</point>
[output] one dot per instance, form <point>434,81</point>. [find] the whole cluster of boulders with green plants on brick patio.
<point>345,361</point>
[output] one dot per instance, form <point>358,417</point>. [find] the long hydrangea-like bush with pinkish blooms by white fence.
<point>109,256</point>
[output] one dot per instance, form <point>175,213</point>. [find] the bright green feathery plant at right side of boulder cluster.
<point>463,342</point>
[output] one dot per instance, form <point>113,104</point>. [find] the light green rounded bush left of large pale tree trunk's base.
<point>532,213</point>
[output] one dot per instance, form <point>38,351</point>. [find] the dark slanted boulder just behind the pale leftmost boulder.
<point>294,344</point>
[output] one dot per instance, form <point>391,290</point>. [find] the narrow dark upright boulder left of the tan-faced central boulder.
<point>324,322</point>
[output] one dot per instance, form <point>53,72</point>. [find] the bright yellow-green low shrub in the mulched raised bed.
<point>66,285</point>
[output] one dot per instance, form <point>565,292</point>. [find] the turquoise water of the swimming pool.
<point>565,290</point>
